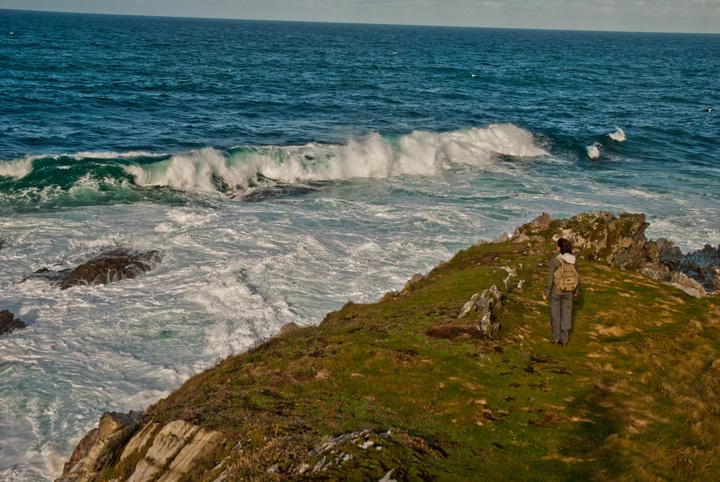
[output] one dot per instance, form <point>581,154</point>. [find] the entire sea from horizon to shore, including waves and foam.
<point>286,168</point>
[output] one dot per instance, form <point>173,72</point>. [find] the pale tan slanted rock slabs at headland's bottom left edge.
<point>96,450</point>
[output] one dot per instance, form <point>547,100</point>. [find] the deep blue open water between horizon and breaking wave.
<point>74,83</point>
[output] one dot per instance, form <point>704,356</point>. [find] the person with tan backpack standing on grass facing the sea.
<point>562,286</point>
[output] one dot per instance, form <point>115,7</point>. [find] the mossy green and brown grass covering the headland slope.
<point>634,396</point>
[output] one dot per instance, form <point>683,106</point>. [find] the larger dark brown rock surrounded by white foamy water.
<point>115,265</point>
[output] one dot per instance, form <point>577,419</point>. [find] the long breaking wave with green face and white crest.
<point>374,156</point>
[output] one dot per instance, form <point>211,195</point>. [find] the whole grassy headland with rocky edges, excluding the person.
<point>454,376</point>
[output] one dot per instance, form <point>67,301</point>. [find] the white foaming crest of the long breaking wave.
<point>376,157</point>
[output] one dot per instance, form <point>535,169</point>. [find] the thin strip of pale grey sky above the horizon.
<point>636,15</point>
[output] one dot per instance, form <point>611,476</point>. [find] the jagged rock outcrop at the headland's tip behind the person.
<point>620,241</point>
